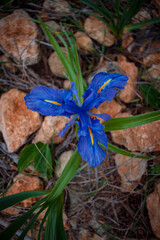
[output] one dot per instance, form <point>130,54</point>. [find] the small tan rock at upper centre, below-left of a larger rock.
<point>84,43</point>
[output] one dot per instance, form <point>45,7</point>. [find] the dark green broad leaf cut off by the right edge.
<point>151,95</point>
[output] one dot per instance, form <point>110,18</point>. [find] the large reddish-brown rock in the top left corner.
<point>18,37</point>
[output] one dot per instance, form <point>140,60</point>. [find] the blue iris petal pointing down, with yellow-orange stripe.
<point>90,133</point>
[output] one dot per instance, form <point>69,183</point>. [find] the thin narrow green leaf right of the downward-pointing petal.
<point>123,152</point>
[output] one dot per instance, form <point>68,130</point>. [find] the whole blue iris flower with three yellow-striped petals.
<point>55,102</point>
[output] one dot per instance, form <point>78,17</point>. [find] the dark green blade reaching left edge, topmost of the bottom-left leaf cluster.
<point>11,200</point>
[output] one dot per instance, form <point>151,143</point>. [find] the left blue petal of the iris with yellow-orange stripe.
<point>48,101</point>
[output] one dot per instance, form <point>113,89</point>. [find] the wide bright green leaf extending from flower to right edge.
<point>130,122</point>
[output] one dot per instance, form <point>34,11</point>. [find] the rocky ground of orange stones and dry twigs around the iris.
<point>119,199</point>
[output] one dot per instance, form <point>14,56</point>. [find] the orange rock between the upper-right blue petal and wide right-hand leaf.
<point>112,108</point>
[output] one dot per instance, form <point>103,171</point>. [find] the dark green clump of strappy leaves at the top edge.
<point>120,16</point>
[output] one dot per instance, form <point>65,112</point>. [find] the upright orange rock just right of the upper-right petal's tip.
<point>129,69</point>
